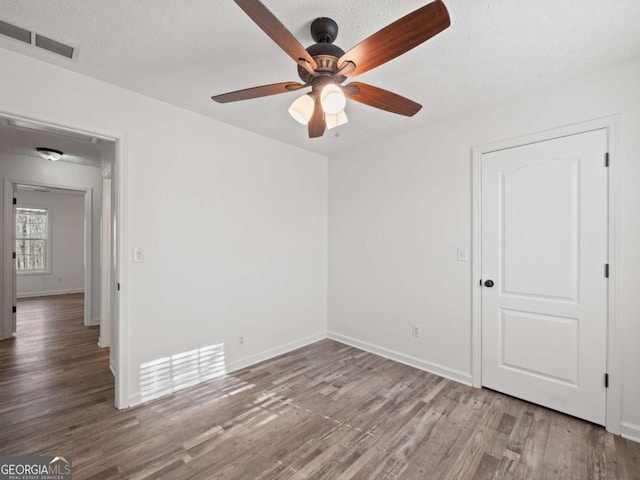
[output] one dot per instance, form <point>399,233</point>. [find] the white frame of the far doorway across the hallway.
<point>87,240</point>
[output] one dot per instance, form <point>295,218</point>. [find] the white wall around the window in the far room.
<point>66,244</point>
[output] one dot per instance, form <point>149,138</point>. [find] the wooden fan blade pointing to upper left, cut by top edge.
<point>270,24</point>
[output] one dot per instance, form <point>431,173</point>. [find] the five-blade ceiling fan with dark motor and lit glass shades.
<point>325,66</point>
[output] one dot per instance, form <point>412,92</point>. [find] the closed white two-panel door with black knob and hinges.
<point>544,248</point>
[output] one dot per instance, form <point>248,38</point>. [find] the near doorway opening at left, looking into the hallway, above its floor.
<point>63,255</point>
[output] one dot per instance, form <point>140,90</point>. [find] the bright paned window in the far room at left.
<point>32,240</point>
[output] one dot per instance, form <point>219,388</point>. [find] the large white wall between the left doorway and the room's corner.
<point>233,225</point>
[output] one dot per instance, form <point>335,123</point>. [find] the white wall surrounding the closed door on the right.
<point>398,209</point>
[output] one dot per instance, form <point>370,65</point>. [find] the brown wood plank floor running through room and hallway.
<point>326,411</point>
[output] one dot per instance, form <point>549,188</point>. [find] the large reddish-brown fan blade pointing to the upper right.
<point>397,38</point>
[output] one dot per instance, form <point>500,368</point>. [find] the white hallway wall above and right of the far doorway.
<point>42,172</point>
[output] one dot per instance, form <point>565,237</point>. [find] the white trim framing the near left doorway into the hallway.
<point>119,316</point>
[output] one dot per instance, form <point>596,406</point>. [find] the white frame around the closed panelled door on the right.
<point>614,342</point>
